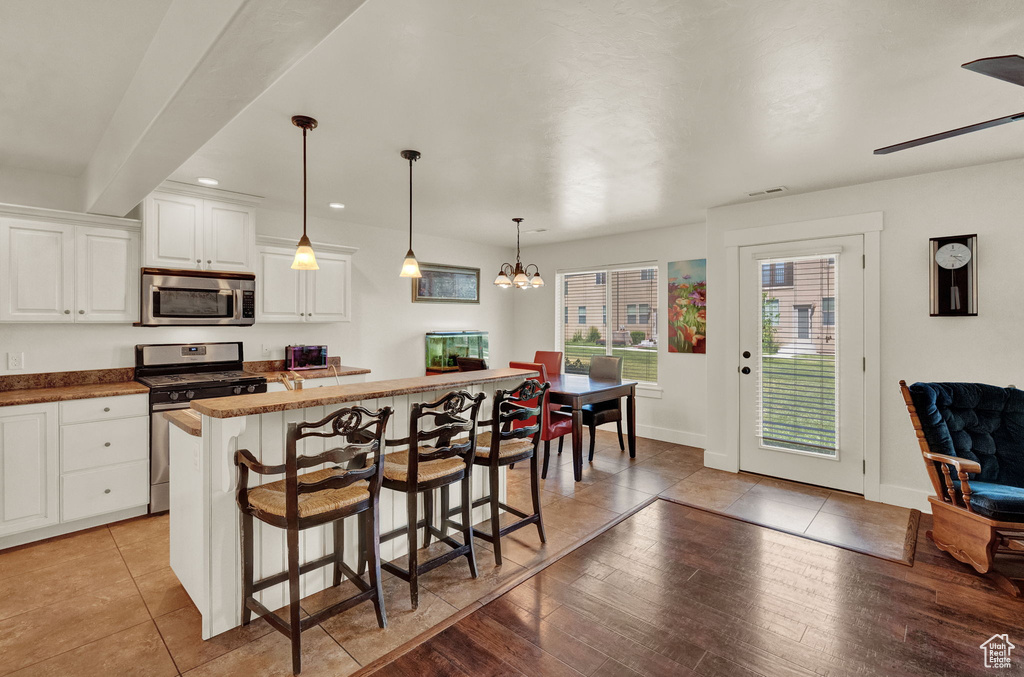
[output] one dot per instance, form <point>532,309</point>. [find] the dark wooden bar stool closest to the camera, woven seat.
<point>311,499</point>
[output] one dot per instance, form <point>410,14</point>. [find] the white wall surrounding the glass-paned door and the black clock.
<point>987,200</point>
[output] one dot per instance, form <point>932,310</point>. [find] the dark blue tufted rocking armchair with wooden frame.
<point>972,439</point>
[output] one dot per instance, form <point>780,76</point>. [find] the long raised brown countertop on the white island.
<point>250,405</point>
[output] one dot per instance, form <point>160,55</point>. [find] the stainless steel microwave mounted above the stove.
<point>197,299</point>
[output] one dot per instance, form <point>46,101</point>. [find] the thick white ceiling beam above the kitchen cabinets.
<point>207,63</point>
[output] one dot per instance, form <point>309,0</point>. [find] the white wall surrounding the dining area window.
<point>679,415</point>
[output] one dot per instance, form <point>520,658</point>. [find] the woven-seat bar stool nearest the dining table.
<point>501,445</point>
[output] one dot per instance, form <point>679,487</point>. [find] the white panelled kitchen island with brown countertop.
<point>205,545</point>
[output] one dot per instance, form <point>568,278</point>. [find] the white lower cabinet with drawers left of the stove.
<point>69,461</point>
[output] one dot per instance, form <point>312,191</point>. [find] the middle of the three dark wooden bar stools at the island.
<point>451,428</point>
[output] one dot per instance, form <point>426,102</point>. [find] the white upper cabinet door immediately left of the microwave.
<point>107,275</point>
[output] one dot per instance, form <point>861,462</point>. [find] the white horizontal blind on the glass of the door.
<point>797,376</point>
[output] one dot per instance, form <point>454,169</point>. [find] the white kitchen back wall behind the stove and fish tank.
<point>386,335</point>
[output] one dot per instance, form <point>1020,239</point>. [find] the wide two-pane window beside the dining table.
<point>628,299</point>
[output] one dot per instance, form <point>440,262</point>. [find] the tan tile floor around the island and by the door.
<point>107,603</point>
